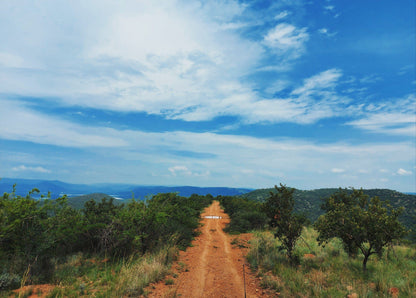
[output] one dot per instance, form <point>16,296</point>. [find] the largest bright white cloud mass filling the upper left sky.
<point>178,61</point>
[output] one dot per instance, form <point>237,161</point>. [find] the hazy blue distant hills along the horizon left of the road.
<point>123,191</point>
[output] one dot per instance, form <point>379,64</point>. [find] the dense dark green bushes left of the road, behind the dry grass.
<point>32,231</point>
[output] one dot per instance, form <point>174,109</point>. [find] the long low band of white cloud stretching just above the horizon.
<point>213,159</point>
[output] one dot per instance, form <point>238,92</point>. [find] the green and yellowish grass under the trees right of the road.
<point>329,272</point>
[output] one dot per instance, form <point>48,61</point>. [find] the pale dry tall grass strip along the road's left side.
<point>86,277</point>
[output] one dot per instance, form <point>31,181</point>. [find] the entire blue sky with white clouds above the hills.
<point>210,93</point>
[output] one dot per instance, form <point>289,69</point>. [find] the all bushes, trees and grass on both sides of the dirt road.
<point>356,245</point>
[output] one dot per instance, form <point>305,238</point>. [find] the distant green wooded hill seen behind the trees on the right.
<point>309,201</point>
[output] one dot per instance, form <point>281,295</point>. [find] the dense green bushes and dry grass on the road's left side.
<point>102,249</point>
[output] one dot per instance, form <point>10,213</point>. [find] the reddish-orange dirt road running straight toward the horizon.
<point>212,266</point>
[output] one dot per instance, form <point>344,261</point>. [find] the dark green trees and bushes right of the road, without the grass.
<point>365,225</point>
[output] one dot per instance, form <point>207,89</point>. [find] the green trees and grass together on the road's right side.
<point>355,247</point>
